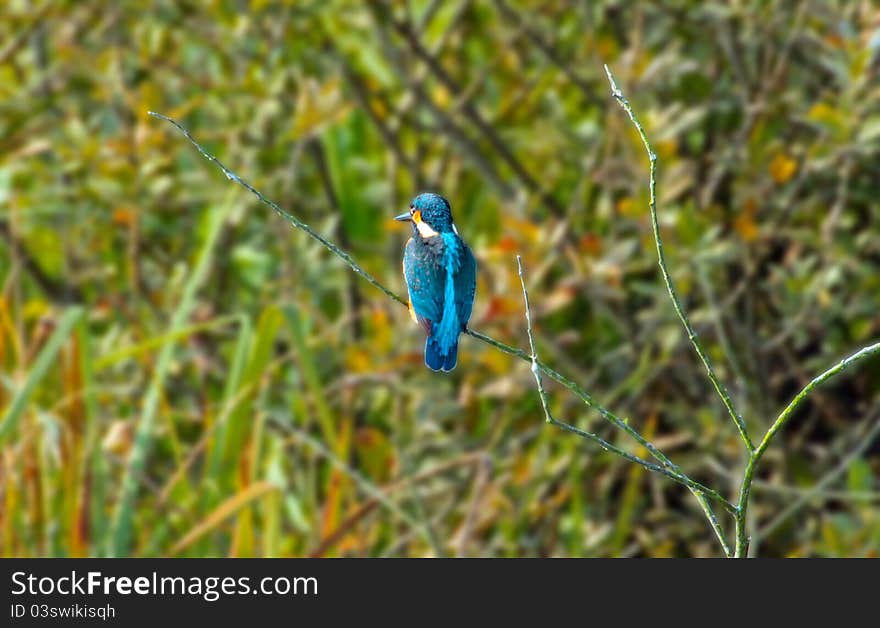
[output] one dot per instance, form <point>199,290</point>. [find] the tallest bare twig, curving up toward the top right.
<point>661,259</point>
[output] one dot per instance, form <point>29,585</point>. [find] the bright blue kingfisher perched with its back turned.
<point>441,278</point>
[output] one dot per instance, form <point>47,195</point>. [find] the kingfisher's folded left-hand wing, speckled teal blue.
<point>425,283</point>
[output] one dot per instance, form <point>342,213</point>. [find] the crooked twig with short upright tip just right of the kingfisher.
<point>675,475</point>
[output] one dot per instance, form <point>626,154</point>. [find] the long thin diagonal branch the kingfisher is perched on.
<point>668,468</point>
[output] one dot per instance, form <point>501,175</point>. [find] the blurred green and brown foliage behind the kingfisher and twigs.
<point>282,402</point>
